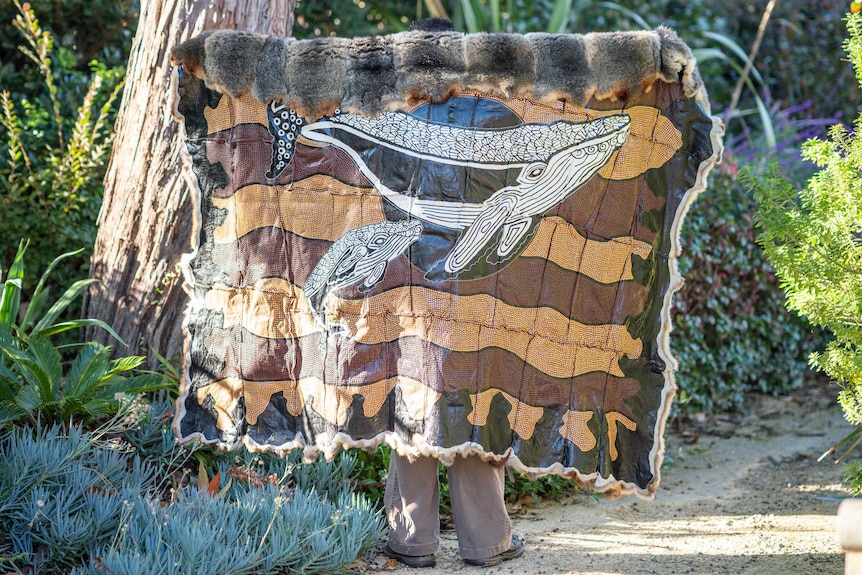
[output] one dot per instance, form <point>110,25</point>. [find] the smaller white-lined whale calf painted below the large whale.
<point>361,254</point>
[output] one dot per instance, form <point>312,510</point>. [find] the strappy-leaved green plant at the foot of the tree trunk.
<point>37,383</point>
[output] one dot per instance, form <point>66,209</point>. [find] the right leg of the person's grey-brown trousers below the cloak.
<point>479,508</point>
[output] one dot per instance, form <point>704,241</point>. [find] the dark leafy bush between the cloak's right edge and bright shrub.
<point>732,334</point>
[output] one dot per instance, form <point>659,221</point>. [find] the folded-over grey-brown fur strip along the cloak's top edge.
<point>367,75</point>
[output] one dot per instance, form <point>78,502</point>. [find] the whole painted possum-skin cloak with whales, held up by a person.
<point>446,243</point>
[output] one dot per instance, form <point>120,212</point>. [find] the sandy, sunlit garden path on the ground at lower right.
<point>740,494</point>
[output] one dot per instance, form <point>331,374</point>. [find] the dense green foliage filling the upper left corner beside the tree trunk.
<point>57,115</point>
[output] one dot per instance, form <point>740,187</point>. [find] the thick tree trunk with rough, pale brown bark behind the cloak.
<point>146,217</point>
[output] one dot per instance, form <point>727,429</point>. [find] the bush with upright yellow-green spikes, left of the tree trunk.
<point>55,151</point>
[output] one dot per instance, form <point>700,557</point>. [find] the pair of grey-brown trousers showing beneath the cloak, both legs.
<point>412,502</point>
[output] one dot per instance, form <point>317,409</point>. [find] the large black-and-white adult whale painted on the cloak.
<point>554,161</point>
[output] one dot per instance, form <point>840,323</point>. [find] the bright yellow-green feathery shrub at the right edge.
<point>813,236</point>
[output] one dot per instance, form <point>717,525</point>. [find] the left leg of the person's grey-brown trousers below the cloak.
<point>412,500</point>
